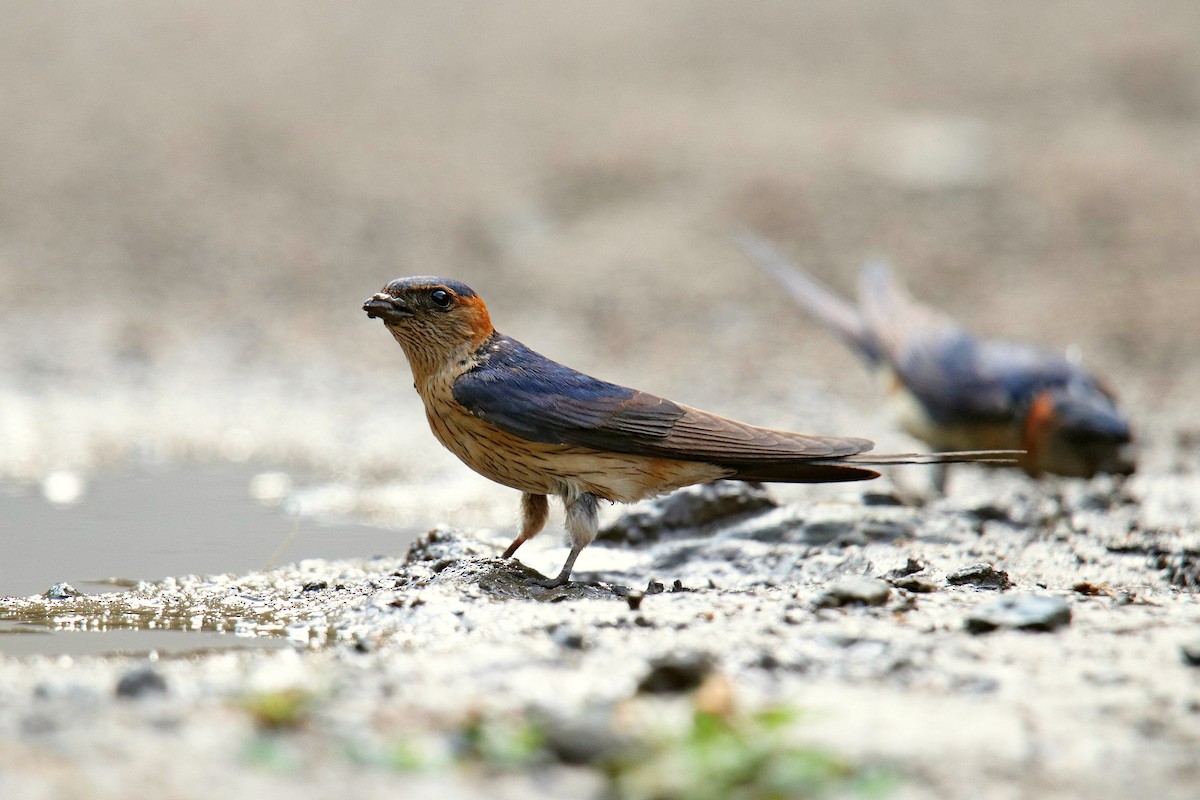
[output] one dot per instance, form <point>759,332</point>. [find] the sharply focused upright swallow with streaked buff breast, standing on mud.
<point>533,425</point>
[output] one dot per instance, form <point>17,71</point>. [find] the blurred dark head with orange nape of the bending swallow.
<point>1078,431</point>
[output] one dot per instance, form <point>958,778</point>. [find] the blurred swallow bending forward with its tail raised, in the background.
<point>957,392</point>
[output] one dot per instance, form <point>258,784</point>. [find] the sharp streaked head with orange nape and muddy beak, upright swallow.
<point>434,320</point>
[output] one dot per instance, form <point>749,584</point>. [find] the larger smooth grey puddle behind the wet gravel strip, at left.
<point>151,525</point>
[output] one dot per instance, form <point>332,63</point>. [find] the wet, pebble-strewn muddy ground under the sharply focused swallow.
<point>866,618</point>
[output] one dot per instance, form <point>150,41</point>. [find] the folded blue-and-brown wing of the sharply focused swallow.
<point>527,395</point>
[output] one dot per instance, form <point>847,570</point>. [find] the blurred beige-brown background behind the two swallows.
<point>197,197</point>
